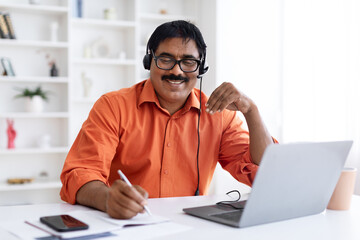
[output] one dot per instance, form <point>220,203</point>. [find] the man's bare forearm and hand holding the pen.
<point>119,201</point>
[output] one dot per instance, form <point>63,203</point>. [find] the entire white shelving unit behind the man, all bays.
<point>104,54</point>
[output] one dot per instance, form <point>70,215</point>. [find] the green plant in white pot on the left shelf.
<point>34,98</point>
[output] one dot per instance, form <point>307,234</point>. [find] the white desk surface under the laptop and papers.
<point>327,225</point>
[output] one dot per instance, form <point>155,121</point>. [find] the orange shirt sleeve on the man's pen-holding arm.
<point>91,154</point>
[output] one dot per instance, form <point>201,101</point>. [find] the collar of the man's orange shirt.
<point>148,94</point>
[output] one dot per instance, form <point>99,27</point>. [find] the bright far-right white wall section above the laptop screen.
<point>321,73</point>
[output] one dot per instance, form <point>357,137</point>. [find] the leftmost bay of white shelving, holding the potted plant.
<point>28,56</point>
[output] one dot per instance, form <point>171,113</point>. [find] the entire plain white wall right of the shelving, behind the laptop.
<point>300,62</point>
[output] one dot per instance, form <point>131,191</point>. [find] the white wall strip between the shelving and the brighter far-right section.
<point>248,54</point>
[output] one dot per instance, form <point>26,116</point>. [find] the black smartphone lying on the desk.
<point>64,223</point>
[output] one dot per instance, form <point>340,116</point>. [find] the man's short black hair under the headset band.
<point>177,29</point>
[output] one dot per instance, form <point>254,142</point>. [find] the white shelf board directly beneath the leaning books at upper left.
<point>32,43</point>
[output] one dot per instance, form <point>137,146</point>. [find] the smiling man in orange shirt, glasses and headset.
<point>153,130</point>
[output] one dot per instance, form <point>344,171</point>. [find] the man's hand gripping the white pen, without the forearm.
<point>124,201</point>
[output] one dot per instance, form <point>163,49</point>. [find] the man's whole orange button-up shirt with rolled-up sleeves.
<point>129,130</point>
